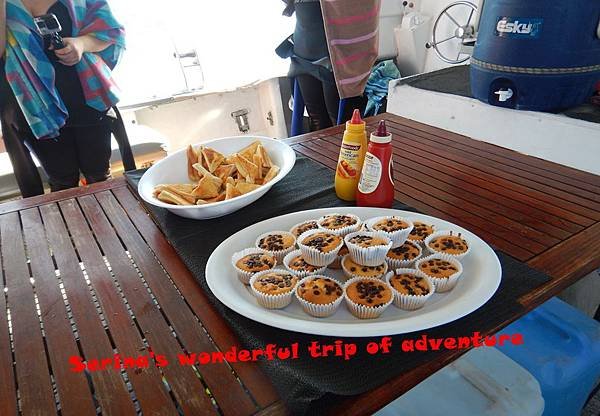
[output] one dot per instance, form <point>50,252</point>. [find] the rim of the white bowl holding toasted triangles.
<point>156,202</point>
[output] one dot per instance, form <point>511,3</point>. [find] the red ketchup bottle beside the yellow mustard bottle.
<point>376,185</point>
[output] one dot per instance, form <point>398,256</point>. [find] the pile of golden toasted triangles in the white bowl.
<point>217,177</point>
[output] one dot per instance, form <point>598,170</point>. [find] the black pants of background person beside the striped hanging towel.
<point>322,102</point>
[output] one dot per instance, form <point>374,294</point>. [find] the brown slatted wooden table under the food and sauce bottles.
<point>85,270</point>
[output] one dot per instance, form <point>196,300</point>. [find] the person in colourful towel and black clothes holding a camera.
<point>55,102</point>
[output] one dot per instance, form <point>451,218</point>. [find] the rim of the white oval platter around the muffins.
<point>358,328</point>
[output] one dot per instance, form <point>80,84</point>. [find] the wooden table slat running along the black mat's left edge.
<point>260,387</point>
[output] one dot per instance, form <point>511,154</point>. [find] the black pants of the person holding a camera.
<point>78,150</point>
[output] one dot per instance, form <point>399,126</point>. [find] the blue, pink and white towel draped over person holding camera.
<point>31,75</point>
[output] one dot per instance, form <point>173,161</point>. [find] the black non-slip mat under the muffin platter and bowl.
<point>303,381</point>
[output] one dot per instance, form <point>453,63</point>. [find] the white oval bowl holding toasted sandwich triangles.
<point>173,169</point>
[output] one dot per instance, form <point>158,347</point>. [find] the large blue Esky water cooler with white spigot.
<point>539,55</point>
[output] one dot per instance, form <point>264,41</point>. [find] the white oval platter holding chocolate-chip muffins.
<point>480,280</point>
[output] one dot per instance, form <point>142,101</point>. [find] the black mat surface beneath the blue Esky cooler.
<point>456,80</point>
